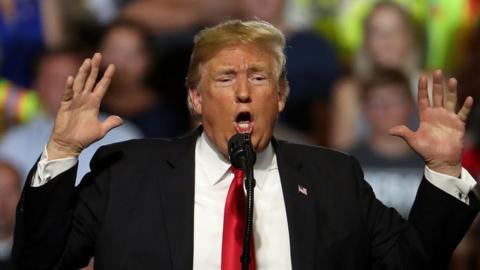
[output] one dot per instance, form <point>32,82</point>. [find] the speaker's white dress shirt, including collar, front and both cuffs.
<point>212,181</point>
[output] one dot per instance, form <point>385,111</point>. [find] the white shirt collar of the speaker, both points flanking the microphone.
<point>218,166</point>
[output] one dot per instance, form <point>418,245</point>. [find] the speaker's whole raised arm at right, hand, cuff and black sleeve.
<point>437,221</point>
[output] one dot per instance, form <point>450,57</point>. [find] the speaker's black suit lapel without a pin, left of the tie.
<point>177,188</point>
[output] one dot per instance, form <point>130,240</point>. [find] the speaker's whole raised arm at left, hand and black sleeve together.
<point>47,234</point>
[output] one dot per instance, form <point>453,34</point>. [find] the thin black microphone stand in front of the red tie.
<point>247,235</point>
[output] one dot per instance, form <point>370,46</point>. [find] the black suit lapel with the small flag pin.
<point>299,207</point>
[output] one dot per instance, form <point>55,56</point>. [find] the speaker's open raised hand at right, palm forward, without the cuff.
<point>439,139</point>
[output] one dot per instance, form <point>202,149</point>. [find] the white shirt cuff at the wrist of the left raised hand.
<point>48,169</point>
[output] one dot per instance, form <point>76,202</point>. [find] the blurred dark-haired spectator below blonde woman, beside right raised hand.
<point>391,167</point>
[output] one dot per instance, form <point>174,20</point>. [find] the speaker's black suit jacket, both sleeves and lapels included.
<point>135,211</point>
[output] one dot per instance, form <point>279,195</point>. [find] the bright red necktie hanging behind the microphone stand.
<point>234,225</point>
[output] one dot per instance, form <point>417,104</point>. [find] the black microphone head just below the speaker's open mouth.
<point>240,151</point>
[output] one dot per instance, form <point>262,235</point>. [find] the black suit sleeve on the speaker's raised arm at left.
<point>57,223</point>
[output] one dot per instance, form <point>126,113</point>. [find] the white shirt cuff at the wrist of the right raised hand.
<point>457,187</point>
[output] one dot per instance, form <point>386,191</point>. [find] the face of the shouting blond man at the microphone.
<point>238,92</point>
